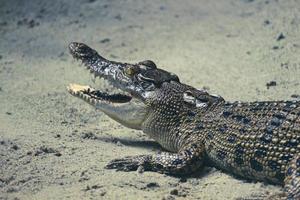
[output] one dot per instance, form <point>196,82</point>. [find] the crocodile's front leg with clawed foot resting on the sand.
<point>186,161</point>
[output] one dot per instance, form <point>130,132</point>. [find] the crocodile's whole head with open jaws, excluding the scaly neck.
<point>138,81</point>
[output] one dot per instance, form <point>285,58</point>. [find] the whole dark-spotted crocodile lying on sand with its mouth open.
<point>255,140</point>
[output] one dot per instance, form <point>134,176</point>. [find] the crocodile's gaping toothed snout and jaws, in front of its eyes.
<point>128,109</point>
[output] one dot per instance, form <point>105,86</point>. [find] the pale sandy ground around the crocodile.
<point>54,146</point>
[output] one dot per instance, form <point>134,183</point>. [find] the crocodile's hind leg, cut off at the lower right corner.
<point>292,180</point>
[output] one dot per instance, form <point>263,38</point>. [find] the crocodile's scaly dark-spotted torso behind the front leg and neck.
<point>255,140</point>
